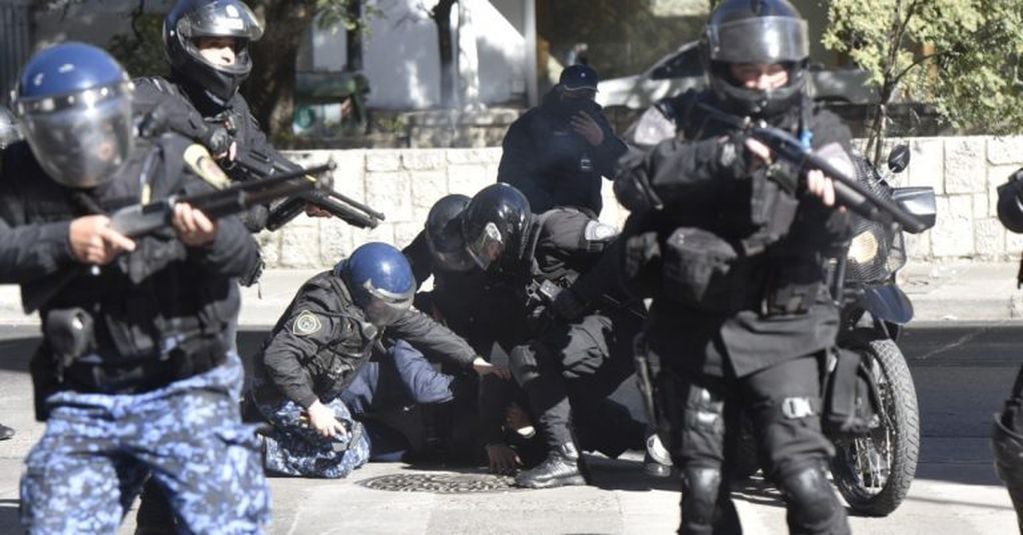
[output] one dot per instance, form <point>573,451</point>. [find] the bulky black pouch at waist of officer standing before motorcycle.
<point>700,271</point>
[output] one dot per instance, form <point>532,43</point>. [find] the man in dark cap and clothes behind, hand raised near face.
<point>558,152</point>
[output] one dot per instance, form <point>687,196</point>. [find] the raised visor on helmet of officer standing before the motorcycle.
<point>760,40</point>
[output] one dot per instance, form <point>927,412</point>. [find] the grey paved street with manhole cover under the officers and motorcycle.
<point>962,373</point>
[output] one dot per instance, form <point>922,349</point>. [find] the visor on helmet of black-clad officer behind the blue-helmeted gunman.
<point>227,19</point>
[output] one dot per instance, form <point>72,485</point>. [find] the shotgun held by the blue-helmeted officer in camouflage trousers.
<point>139,220</point>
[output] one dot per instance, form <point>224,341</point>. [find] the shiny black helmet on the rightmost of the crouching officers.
<point>495,225</point>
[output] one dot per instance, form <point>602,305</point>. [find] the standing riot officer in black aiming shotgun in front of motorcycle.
<point>732,245</point>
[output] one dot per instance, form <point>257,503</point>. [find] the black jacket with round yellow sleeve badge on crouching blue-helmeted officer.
<point>323,340</point>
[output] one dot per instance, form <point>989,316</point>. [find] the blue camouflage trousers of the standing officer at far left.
<point>98,450</point>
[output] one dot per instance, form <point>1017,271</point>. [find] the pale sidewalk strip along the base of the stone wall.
<point>946,292</point>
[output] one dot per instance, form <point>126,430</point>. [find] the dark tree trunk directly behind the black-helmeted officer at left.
<point>271,88</point>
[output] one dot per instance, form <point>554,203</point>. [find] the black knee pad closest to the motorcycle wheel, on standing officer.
<point>812,502</point>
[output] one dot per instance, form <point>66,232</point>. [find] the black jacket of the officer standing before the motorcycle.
<point>699,190</point>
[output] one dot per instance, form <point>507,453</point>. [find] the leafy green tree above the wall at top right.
<point>962,57</point>
